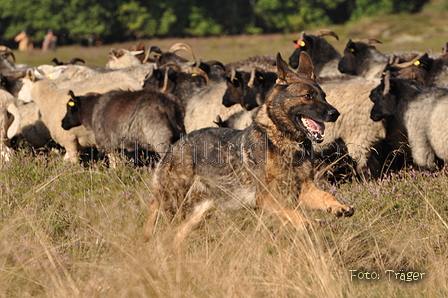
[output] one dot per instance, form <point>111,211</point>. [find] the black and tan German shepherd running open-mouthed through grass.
<point>268,165</point>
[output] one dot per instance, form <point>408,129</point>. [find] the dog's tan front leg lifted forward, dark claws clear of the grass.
<point>315,198</point>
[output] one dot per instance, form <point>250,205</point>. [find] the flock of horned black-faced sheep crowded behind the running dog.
<point>141,102</point>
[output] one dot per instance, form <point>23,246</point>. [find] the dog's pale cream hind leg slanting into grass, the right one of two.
<point>192,220</point>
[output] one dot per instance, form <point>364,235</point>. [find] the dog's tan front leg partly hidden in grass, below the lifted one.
<point>267,202</point>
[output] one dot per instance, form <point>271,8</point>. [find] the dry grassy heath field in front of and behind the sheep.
<point>75,231</point>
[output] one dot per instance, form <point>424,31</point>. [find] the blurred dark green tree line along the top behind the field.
<point>90,21</point>
